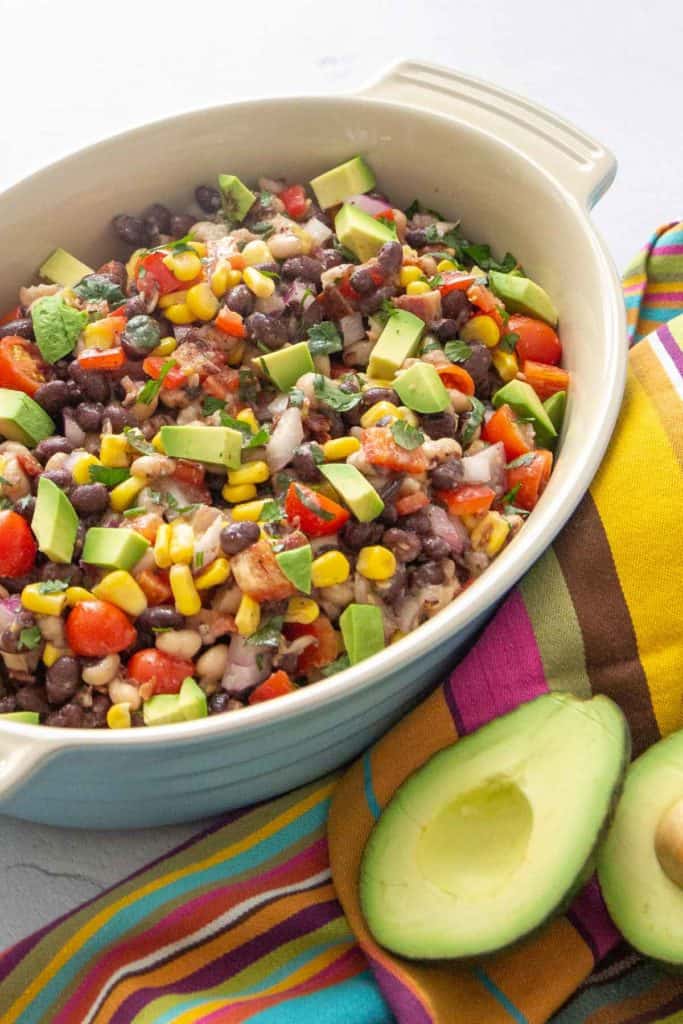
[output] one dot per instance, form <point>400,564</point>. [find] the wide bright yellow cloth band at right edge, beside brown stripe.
<point>629,507</point>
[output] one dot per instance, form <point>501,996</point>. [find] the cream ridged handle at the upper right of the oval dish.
<point>582,166</point>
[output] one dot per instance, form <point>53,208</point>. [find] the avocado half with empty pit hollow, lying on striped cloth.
<point>494,835</point>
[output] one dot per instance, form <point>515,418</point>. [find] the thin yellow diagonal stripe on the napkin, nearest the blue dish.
<point>86,933</point>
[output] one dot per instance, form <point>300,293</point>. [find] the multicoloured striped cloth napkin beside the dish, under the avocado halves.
<point>245,923</point>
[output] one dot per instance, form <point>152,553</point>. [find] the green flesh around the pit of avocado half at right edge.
<point>645,904</point>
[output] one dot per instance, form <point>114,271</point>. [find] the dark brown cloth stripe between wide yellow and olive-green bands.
<point>610,641</point>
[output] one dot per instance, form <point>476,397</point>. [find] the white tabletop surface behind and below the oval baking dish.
<point>75,72</point>
